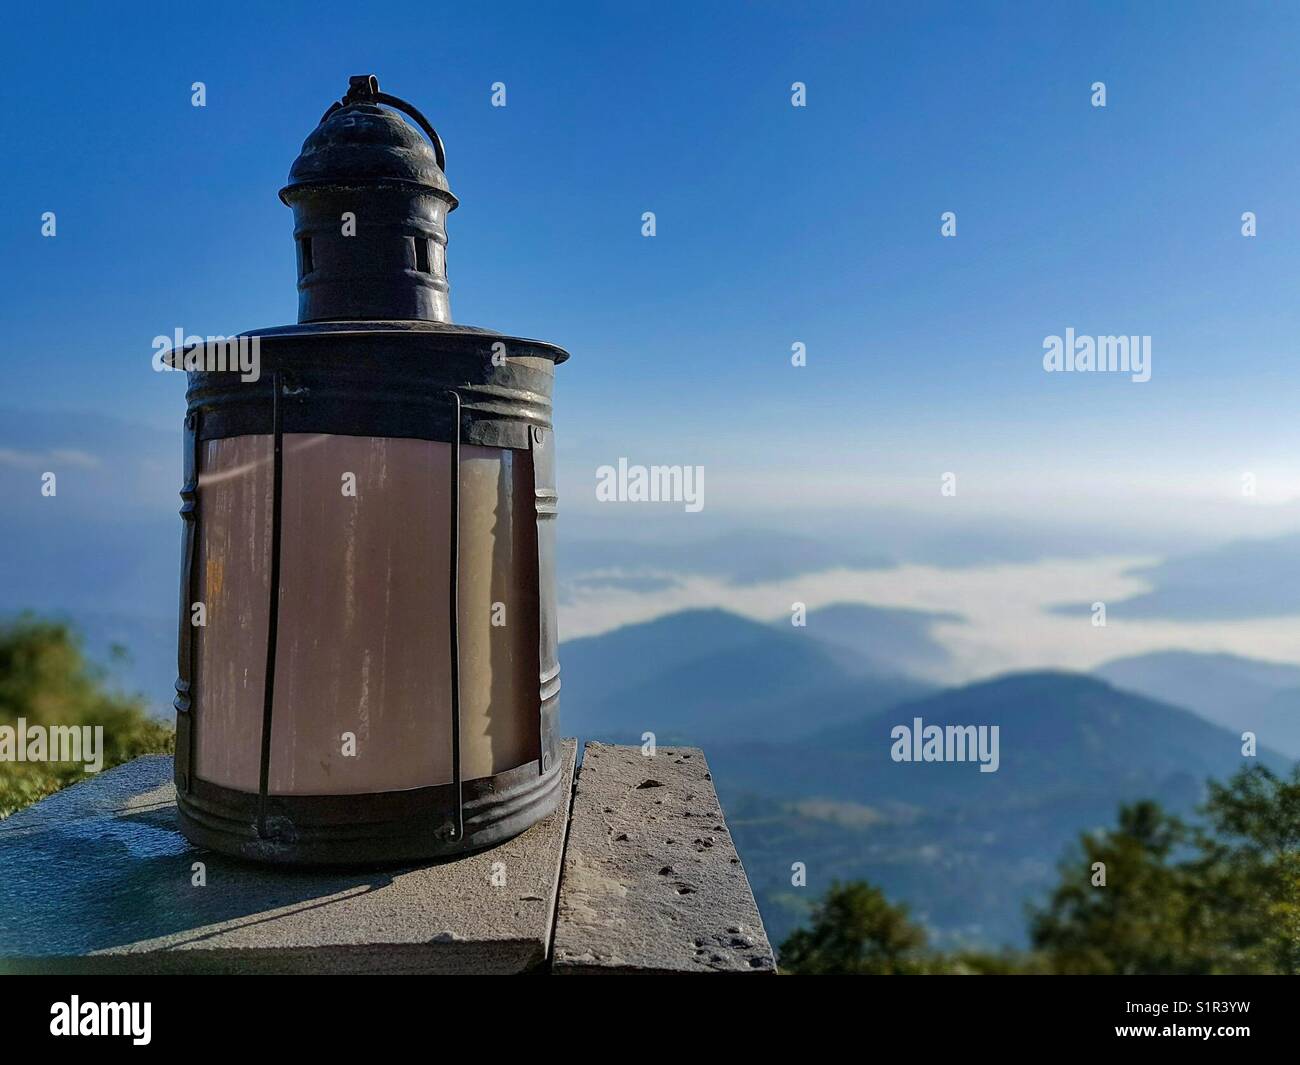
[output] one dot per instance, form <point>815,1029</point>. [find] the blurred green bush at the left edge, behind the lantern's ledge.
<point>46,679</point>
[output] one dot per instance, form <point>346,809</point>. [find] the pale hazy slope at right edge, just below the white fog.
<point>1240,694</point>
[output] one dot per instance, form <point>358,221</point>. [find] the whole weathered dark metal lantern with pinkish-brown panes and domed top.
<point>369,676</point>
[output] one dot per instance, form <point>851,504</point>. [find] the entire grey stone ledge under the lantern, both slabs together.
<point>643,877</point>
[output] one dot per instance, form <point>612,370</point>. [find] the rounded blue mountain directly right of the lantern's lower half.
<point>709,676</point>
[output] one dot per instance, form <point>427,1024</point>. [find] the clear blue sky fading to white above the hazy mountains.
<point>775,224</point>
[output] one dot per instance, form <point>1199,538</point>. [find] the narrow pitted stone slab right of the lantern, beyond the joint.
<point>652,881</point>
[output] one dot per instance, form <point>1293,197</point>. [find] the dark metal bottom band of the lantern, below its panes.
<point>369,829</point>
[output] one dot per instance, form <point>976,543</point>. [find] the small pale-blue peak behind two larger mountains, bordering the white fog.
<point>876,640</point>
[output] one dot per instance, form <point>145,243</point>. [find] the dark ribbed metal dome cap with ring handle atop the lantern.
<point>361,144</point>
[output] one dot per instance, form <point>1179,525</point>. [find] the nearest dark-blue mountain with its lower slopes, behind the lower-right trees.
<point>967,850</point>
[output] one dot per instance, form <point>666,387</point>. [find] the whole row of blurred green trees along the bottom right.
<point>1221,897</point>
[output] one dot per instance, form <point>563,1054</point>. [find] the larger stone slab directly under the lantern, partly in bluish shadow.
<point>98,878</point>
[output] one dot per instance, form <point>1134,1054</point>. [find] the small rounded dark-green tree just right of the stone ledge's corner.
<point>856,930</point>
